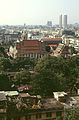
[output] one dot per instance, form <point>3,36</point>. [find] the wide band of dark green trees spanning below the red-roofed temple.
<point>50,73</point>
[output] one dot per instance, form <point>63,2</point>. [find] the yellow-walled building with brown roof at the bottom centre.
<point>50,109</point>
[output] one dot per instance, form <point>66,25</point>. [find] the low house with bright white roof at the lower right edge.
<point>67,100</point>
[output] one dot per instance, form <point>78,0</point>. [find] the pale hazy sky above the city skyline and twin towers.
<point>37,12</point>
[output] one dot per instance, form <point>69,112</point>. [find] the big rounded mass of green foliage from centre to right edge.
<point>56,74</point>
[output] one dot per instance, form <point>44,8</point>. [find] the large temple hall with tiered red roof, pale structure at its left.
<point>27,48</point>
